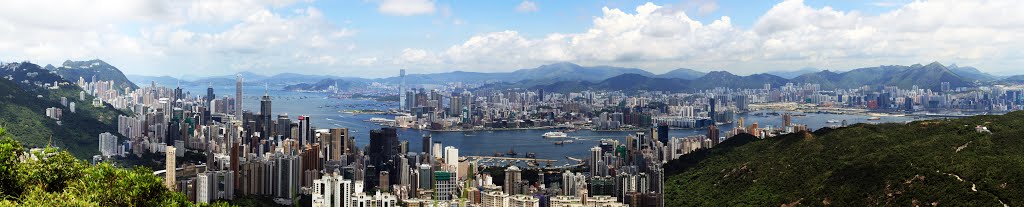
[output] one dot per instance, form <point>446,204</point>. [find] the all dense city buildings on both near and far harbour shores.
<point>216,150</point>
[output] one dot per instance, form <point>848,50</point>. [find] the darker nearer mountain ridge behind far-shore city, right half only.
<point>929,76</point>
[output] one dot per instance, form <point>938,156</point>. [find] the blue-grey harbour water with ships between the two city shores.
<point>327,113</point>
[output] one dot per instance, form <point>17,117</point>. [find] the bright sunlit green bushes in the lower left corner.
<point>53,178</point>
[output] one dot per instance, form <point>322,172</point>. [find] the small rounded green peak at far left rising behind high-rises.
<point>72,71</point>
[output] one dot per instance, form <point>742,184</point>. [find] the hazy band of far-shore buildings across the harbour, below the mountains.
<point>448,108</point>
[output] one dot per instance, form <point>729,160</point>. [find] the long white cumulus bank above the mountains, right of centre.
<point>792,34</point>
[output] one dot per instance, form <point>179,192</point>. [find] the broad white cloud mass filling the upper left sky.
<point>162,35</point>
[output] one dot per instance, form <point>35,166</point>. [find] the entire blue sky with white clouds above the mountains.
<point>376,38</point>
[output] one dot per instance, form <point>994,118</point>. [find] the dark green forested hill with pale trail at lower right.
<point>943,162</point>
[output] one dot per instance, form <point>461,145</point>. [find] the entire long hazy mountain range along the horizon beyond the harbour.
<point>569,76</point>
